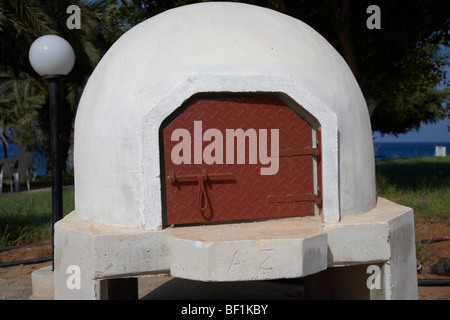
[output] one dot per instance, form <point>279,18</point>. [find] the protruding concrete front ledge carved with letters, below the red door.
<point>266,250</point>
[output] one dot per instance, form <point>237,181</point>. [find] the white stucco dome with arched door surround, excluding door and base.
<point>152,69</point>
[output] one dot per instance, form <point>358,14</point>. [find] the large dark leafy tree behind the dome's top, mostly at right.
<point>397,66</point>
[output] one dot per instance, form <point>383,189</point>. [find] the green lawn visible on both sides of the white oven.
<point>420,183</point>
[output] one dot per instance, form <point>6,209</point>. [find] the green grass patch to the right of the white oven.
<point>422,184</point>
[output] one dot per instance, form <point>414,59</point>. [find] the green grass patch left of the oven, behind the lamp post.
<point>27,217</point>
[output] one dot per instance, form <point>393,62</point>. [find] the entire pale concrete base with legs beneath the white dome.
<point>335,259</point>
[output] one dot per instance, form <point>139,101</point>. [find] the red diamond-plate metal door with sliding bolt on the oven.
<point>212,174</point>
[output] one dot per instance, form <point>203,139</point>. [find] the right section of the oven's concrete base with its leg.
<point>382,237</point>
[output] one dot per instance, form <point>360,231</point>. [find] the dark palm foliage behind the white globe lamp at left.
<point>23,21</point>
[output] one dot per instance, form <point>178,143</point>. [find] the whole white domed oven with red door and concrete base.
<point>227,142</point>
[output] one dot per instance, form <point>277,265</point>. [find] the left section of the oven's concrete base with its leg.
<point>88,253</point>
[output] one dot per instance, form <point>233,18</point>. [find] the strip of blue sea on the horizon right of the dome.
<point>392,150</point>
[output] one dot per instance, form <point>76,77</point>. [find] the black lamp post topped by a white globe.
<point>52,57</point>
